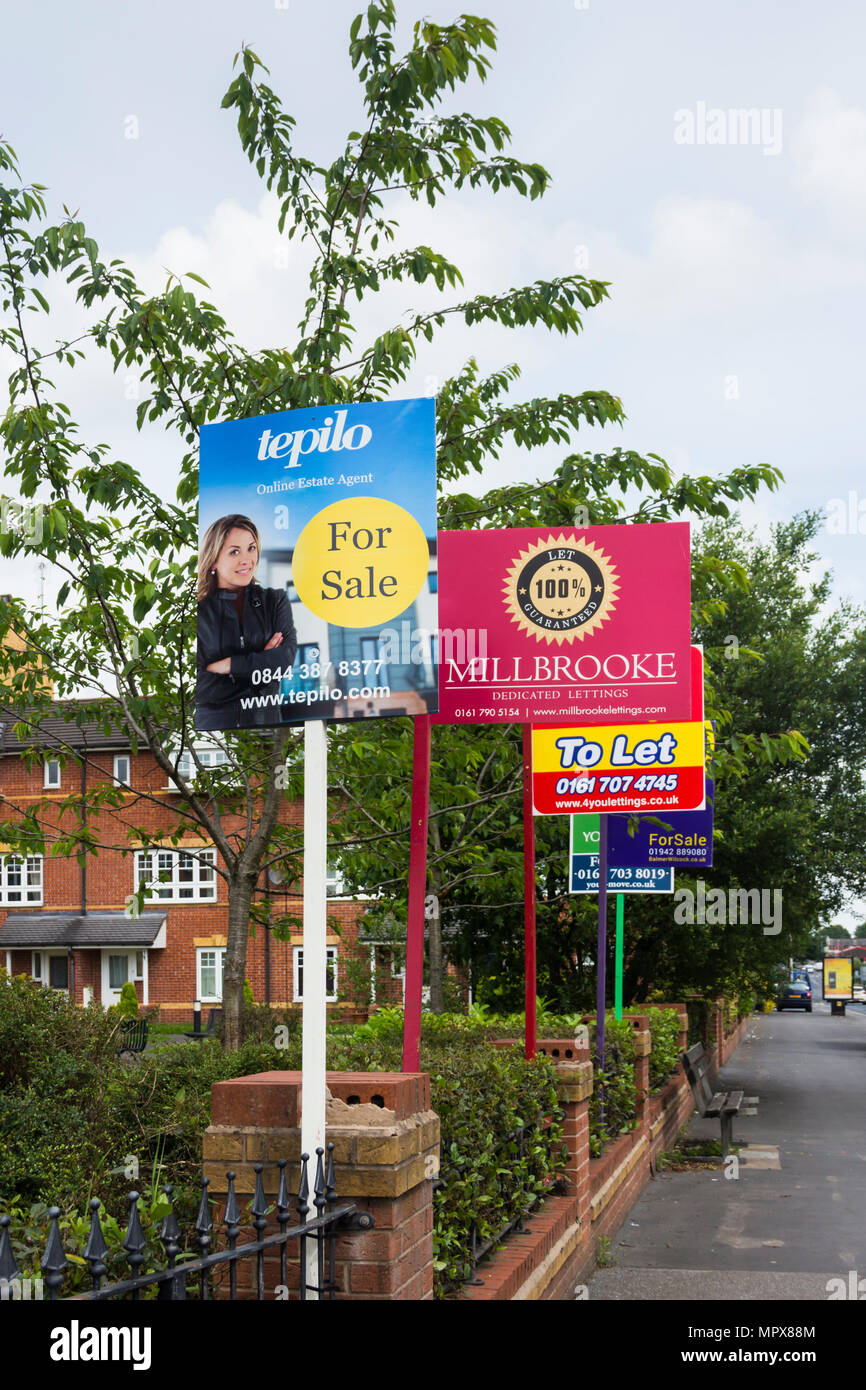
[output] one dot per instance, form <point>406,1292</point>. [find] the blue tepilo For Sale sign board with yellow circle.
<point>318,566</point>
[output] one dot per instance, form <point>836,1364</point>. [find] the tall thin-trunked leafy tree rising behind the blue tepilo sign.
<point>124,629</point>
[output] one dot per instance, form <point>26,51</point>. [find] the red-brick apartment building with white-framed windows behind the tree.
<point>70,928</point>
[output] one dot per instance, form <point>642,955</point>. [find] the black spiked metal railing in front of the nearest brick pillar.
<point>173,1282</point>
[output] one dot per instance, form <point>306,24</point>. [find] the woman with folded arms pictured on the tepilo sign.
<point>244,630</point>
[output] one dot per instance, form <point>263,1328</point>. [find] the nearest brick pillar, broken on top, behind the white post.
<point>387,1156</point>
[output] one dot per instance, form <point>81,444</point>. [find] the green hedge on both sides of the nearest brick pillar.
<point>73,1115</point>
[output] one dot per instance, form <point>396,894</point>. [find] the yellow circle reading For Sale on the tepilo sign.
<point>361,562</point>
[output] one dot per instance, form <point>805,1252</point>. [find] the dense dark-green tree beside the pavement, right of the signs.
<point>783,655</point>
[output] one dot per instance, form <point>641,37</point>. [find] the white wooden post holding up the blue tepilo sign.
<point>315,963</point>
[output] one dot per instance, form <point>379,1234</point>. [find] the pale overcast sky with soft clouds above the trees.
<point>735,333</point>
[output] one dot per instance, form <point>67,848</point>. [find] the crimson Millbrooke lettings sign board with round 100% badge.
<point>565,625</point>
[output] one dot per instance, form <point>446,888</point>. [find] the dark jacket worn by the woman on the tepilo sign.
<point>220,635</point>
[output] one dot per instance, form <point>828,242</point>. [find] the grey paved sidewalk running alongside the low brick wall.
<point>775,1232</point>
